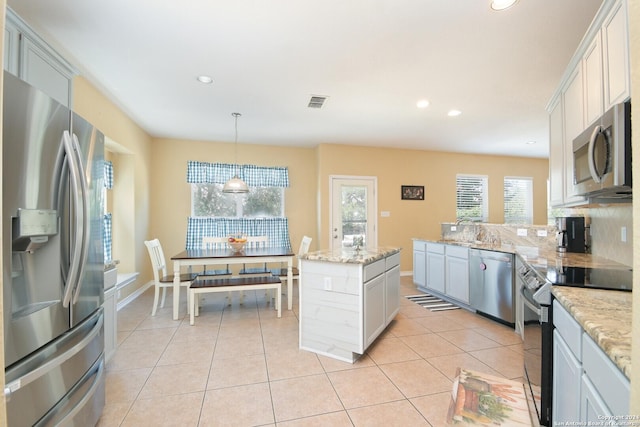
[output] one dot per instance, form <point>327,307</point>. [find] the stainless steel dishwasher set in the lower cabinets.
<point>491,284</point>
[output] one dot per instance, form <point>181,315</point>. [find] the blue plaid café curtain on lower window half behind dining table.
<point>276,229</point>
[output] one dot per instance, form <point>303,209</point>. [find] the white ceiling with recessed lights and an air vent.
<point>374,59</point>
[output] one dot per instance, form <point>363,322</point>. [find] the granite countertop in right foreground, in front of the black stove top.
<point>605,316</point>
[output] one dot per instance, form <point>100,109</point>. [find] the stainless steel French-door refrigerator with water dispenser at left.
<point>52,184</point>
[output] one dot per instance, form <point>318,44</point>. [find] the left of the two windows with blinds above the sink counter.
<point>472,198</point>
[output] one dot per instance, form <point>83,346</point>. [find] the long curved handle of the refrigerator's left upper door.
<point>73,276</point>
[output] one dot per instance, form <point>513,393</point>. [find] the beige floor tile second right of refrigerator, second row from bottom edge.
<point>173,380</point>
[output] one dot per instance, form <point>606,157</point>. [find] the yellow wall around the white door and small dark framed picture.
<point>437,172</point>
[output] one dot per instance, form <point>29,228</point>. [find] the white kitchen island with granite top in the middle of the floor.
<point>347,298</point>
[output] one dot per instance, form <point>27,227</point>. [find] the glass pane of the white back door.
<point>354,216</point>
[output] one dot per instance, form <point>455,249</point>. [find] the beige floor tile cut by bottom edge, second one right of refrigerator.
<point>179,410</point>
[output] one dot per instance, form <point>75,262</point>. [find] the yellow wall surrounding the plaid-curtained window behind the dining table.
<point>171,195</point>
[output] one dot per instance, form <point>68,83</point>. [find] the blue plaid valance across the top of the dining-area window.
<point>254,176</point>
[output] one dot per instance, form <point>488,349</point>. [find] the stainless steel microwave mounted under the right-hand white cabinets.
<point>602,156</point>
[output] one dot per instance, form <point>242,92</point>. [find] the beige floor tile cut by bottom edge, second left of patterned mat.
<point>400,413</point>
